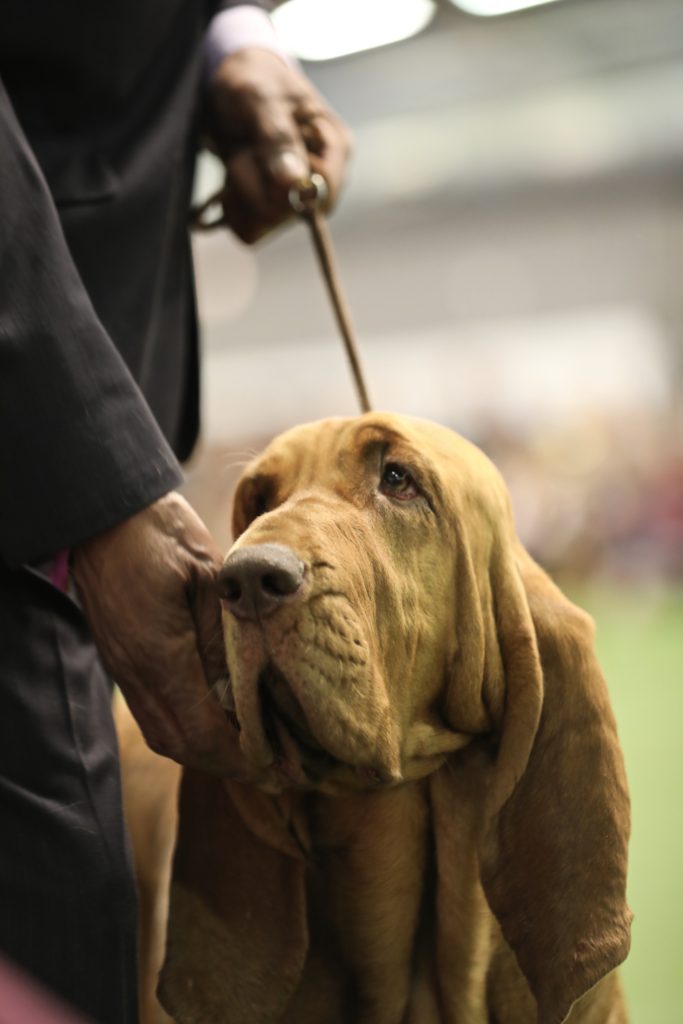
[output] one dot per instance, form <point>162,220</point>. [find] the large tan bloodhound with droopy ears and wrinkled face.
<point>438,833</point>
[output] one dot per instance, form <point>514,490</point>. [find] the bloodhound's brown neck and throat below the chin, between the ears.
<point>378,866</point>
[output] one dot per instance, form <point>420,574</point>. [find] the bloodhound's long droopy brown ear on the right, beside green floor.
<point>553,851</point>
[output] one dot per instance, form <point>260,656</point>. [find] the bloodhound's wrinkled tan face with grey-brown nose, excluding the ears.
<point>340,600</point>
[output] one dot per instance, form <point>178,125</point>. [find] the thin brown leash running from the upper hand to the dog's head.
<point>307,201</point>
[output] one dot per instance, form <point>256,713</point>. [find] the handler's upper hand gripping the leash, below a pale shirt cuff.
<point>273,131</point>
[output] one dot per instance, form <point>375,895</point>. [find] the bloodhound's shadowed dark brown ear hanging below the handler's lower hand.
<point>237,932</point>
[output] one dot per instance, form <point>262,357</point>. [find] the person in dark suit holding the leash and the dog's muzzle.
<point>101,107</point>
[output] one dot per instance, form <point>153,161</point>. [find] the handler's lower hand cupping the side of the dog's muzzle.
<point>148,590</point>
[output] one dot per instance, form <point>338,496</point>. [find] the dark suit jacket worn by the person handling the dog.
<point>99,377</point>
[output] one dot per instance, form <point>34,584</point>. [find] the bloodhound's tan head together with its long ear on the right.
<point>381,615</point>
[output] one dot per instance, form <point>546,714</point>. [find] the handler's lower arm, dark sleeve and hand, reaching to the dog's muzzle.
<point>83,465</point>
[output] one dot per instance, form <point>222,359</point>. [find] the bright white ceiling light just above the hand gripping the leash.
<point>316,31</point>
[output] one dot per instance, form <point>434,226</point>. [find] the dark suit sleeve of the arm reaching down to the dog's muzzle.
<point>79,448</point>
